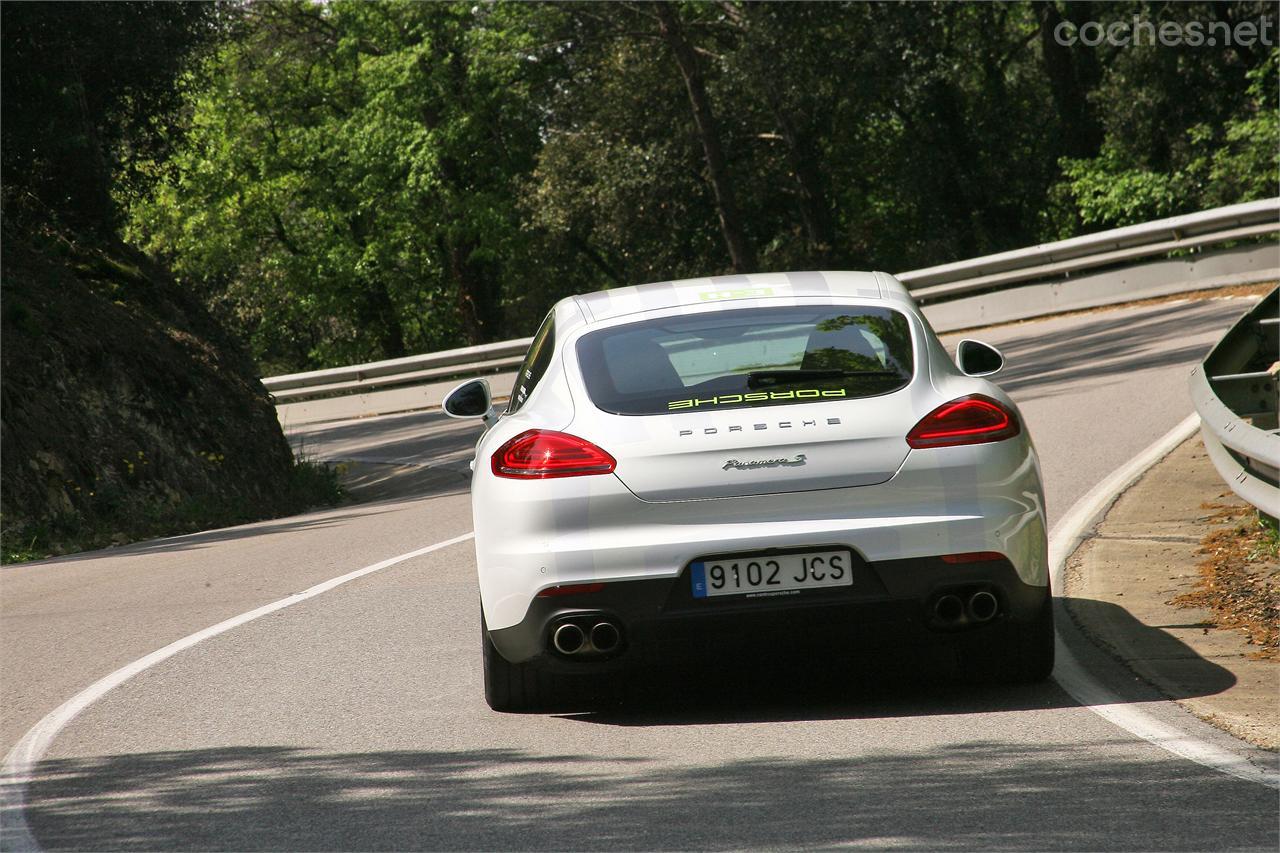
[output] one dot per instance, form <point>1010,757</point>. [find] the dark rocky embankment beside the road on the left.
<point>125,410</point>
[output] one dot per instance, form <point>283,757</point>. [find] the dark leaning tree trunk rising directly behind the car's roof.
<point>742,256</point>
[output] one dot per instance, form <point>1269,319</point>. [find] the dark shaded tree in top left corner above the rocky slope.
<point>86,89</point>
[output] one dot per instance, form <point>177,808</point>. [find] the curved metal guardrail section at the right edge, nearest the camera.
<point>1236,394</point>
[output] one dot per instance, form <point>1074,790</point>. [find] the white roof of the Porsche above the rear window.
<point>604,305</point>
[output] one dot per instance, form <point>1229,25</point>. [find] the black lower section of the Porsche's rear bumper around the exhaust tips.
<point>890,604</point>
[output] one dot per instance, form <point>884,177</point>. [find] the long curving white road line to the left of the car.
<point>22,760</point>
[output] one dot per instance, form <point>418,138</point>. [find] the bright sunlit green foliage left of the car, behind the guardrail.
<point>346,186</point>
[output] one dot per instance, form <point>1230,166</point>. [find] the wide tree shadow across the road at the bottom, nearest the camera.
<point>980,795</point>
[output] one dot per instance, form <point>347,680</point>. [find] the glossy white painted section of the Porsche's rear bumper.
<point>589,530</point>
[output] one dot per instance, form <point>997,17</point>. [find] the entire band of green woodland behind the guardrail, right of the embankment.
<point>358,181</point>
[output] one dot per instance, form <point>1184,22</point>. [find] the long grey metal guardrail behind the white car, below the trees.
<point>932,285</point>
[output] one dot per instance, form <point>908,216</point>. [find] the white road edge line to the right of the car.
<point>1067,537</point>
